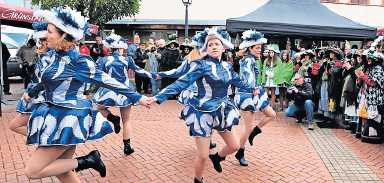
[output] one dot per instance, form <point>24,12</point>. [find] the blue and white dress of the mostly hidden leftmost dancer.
<point>22,105</point>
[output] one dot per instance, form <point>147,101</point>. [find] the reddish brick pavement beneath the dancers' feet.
<point>164,152</point>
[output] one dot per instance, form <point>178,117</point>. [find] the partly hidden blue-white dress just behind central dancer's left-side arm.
<point>188,93</point>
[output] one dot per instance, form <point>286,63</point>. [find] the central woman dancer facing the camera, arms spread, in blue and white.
<point>211,108</point>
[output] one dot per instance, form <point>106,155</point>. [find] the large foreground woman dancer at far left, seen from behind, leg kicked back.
<point>66,117</point>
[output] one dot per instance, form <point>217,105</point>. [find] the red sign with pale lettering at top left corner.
<point>17,14</point>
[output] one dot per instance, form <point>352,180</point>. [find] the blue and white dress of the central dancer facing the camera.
<point>210,108</point>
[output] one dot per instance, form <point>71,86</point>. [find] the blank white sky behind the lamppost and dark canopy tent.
<point>224,9</point>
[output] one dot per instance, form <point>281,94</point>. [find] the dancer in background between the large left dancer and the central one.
<point>117,67</point>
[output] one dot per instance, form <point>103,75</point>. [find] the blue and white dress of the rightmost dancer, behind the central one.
<point>245,99</point>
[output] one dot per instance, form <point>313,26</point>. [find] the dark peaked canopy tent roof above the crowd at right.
<point>307,18</point>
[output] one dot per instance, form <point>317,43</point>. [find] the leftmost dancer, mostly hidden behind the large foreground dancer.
<point>24,108</point>
